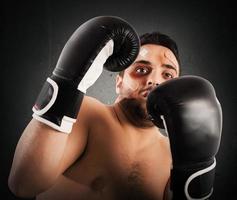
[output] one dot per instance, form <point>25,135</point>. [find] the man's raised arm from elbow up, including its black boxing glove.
<point>53,141</point>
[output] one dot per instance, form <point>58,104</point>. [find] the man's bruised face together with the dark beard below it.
<point>154,65</point>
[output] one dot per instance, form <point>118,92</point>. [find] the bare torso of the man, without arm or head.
<point>119,162</point>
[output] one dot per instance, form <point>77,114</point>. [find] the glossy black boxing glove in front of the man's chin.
<point>192,117</point>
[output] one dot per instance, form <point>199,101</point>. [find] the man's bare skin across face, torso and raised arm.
<point>105,156</point>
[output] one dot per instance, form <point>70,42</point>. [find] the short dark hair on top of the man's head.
<point>159,39</point>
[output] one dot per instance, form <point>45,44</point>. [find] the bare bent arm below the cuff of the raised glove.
<point>43,153</point>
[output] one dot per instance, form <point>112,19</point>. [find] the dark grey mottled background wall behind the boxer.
<point>34,33</point>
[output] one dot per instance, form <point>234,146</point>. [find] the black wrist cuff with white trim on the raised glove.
<point>58,104</point>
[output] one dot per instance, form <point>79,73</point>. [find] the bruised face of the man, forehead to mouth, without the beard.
<point>154,65</point>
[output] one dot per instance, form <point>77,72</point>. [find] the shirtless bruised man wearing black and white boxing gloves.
<point>112,151</point>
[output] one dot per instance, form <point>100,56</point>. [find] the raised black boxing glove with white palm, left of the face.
<point>102,41</point>
